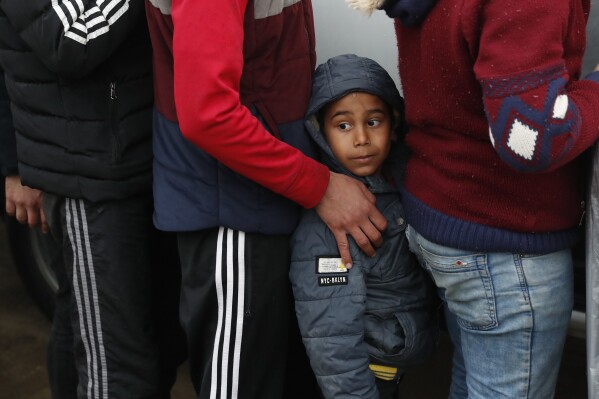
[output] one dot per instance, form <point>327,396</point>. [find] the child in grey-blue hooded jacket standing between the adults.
<point>362,327</point>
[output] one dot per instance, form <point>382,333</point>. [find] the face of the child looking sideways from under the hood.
<point>358,128</point>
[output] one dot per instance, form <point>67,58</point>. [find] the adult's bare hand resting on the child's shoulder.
<point>347,207</point>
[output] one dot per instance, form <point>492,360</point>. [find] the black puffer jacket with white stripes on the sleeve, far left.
<point>81,91</point>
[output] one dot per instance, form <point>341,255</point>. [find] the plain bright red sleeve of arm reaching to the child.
<point>208,53</point>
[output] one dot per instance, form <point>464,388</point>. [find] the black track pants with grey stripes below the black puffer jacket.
<point>124,288</point>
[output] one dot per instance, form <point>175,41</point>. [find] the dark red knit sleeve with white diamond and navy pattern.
<point>528,60</point>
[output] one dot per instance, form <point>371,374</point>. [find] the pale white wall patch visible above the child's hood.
<point>340,30</point>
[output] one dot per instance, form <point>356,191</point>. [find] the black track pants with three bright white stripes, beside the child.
<point>237,311</point>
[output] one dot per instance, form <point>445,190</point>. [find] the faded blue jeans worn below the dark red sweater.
<point>507,315</point>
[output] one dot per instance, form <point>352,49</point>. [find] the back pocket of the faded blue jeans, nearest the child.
<point>467,286</point>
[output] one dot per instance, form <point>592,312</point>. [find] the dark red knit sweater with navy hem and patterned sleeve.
<point>497,114</point>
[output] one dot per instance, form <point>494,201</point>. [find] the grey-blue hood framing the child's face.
<point>348,73</point>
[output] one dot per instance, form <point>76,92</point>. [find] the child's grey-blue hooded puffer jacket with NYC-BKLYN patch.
<point>381,311</point>
